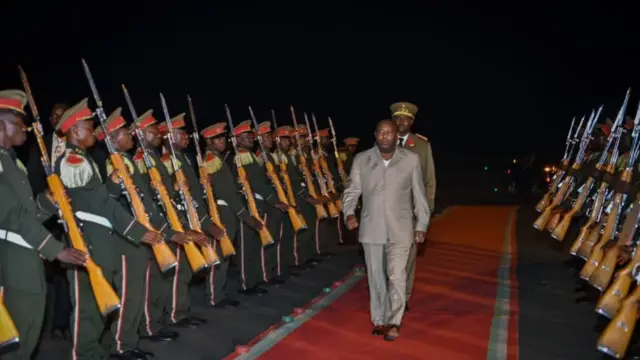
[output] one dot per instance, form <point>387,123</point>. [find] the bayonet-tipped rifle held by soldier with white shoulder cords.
<point>165,258</point>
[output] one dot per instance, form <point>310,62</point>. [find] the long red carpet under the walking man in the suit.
<point>453,308</point>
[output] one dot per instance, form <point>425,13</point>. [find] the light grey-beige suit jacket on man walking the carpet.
<point>388,195</point>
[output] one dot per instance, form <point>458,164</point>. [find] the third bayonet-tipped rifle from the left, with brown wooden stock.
<point>194,257</point>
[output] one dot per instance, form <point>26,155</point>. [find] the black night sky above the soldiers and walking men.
<point>489,79</point>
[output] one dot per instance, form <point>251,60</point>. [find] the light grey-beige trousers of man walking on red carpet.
<point>387,275</point>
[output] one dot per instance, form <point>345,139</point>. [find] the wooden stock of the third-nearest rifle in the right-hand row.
<point>602,276</point>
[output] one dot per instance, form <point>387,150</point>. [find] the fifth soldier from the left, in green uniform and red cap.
<point>181,142</point>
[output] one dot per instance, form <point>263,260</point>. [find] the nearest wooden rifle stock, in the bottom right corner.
<point>614,340</point>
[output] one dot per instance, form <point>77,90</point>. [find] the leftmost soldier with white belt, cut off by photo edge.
<point>23,239</point>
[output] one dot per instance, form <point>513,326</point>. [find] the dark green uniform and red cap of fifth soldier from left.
<point>184,274</point>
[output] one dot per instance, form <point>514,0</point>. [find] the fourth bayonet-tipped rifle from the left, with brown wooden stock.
<point>209,254</point>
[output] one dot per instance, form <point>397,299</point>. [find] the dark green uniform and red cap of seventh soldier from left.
<point>251,258</point>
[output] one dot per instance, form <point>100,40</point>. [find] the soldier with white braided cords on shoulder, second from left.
<point>111,235</point>
